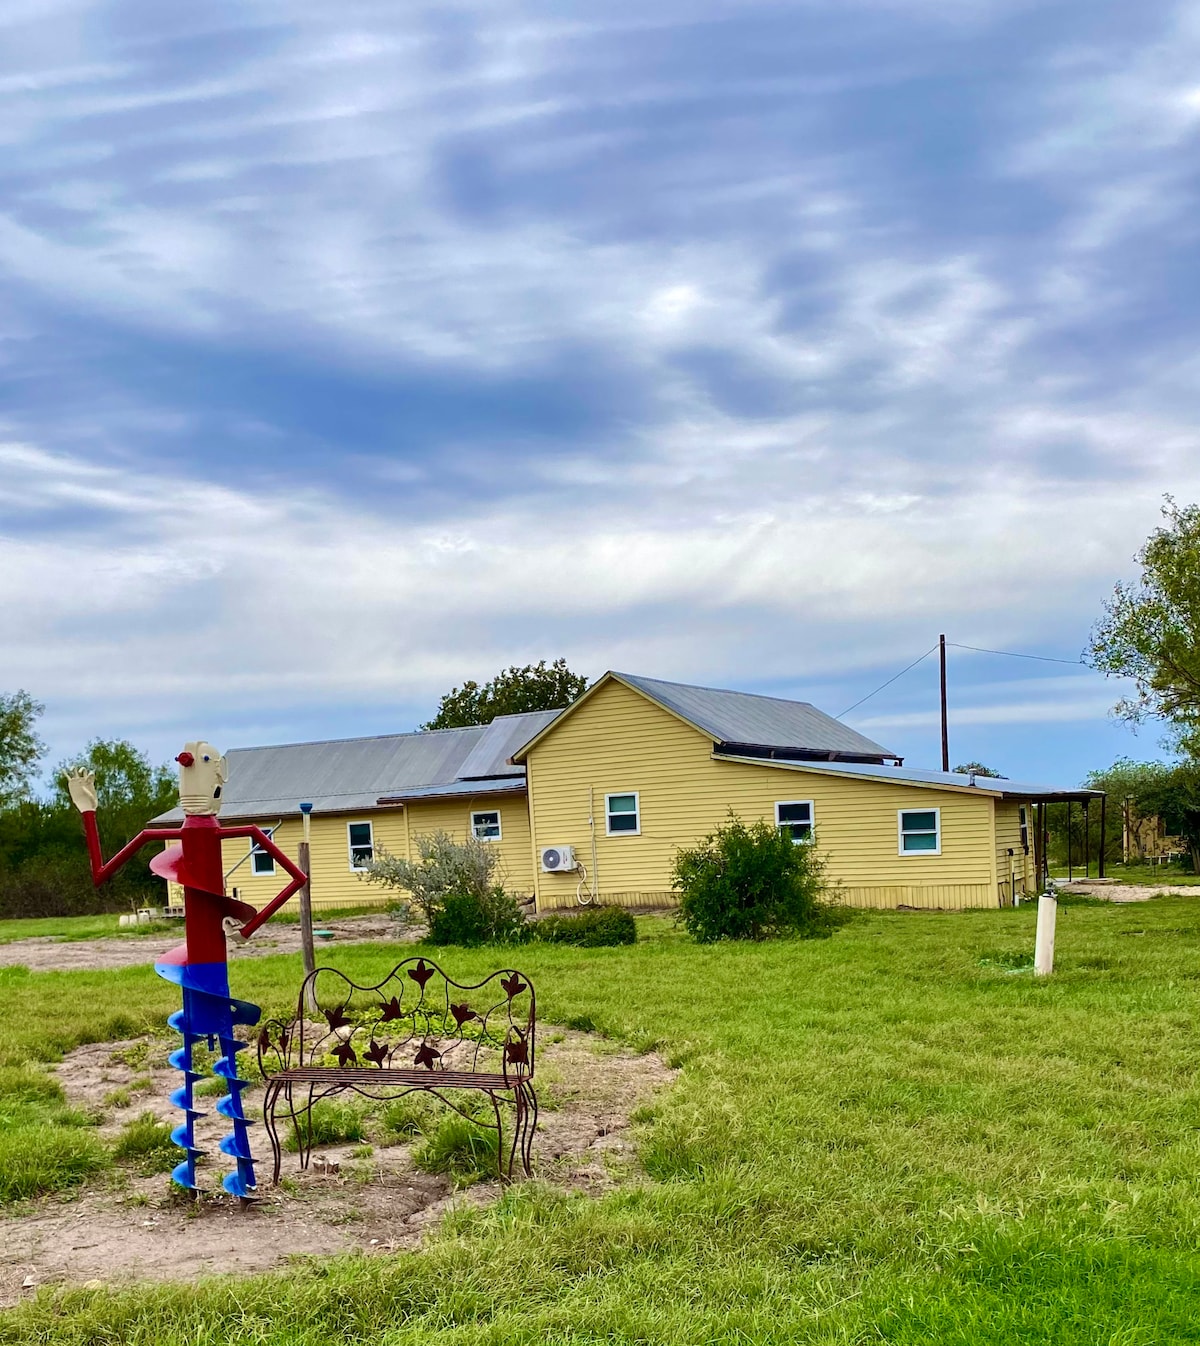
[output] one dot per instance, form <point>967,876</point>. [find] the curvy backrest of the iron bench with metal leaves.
<point>415,1017</point>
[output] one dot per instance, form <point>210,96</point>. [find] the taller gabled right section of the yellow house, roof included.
<point>638,768</point>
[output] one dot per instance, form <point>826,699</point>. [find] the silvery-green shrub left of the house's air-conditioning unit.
<point>453,888</point>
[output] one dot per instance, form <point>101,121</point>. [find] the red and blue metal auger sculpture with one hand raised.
<point>200,966</point>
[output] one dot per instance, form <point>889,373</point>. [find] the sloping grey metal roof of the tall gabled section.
<point>761,721</point>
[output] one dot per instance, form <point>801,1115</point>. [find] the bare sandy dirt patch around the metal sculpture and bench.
<point>130,1228</point>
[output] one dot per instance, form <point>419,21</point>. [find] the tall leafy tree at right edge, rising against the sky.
<point>1151,631</point>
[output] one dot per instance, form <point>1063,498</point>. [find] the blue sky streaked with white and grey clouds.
<point>350,351</point>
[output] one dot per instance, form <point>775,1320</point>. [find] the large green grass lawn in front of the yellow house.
<point>894,1135</point>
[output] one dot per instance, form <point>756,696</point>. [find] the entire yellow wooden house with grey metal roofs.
<point>593,803</point>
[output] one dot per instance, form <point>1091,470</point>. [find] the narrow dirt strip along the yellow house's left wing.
<point>49,955</point>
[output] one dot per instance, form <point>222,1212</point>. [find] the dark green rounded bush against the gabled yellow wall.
<point>750,881</point>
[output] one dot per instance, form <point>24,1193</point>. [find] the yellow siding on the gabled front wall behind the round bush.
<point>621,742</point>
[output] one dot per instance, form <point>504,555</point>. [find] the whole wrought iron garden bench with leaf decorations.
<point>416,1030</point>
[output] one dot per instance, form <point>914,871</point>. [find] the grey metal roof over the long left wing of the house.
<point>349,776</point>
